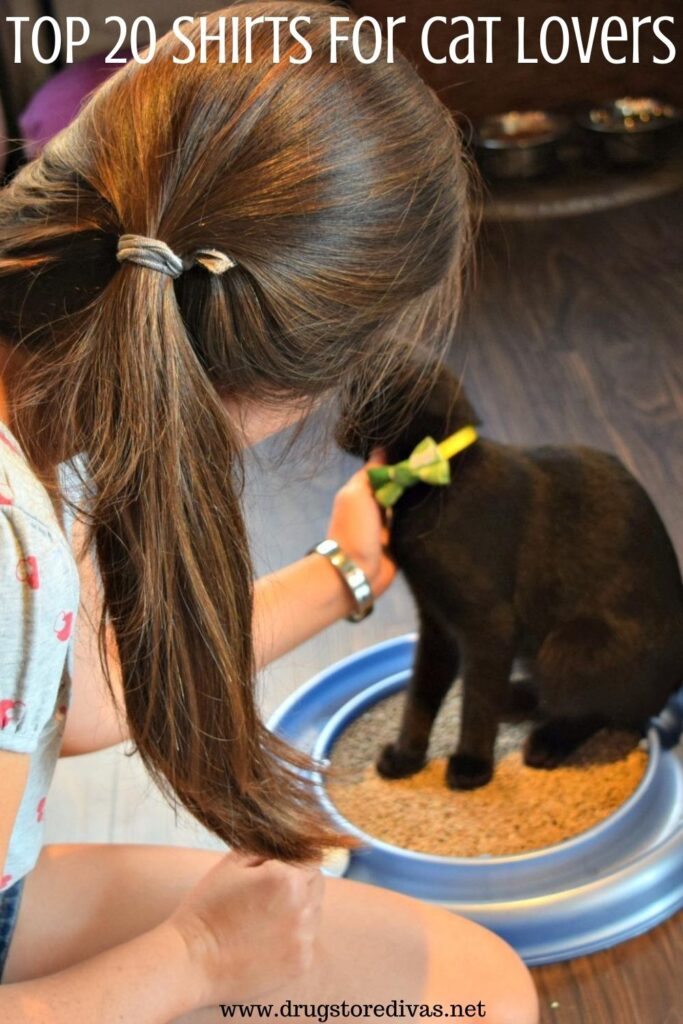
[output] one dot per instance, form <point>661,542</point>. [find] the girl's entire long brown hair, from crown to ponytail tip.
<point>341,193</point>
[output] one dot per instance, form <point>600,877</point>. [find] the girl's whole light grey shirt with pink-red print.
<point>39,584</point>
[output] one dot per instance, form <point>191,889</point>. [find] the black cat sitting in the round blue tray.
<point>553,554</point>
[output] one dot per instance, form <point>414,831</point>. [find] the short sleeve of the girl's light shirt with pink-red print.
<point>39,602</point>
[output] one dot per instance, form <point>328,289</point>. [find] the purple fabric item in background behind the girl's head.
<point>59,101</point>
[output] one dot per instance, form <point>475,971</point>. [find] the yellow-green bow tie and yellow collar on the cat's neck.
<point>428,464</point>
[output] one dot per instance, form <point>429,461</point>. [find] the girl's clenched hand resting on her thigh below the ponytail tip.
<point>250,926</point>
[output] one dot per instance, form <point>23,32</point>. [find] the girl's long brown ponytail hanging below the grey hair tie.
<point>165,476</point>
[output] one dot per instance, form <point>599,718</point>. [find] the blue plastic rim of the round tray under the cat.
<point>607,885</point>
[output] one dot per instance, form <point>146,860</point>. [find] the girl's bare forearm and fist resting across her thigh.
<point>208,951</point>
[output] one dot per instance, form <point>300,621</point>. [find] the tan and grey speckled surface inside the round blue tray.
<point>521,809</point>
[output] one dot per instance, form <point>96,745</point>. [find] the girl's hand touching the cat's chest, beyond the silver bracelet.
<point>359,528</point>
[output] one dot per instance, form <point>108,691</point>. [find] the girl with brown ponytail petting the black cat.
<point>205,255</point>
